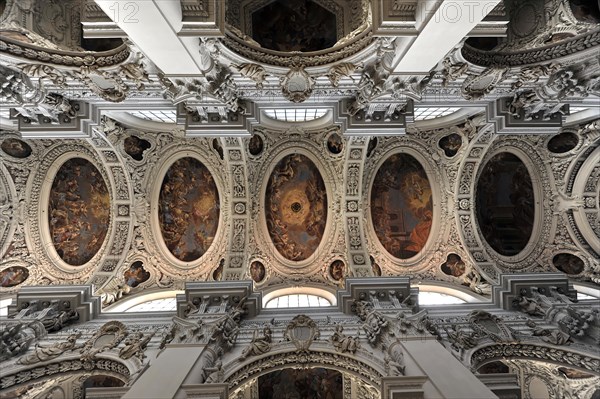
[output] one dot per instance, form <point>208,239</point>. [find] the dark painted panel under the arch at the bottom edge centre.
<point>301,383</point>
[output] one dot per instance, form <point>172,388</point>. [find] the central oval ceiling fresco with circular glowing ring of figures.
<point>296,207</point>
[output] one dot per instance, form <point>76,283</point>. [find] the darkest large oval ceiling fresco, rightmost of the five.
<point>505,204</point>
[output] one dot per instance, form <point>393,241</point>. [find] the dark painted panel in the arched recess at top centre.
<point>294,25</point>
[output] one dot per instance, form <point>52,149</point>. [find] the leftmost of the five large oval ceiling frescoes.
<point>78,211</point>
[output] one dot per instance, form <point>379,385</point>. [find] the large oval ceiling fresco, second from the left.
<point>188,209</point>
